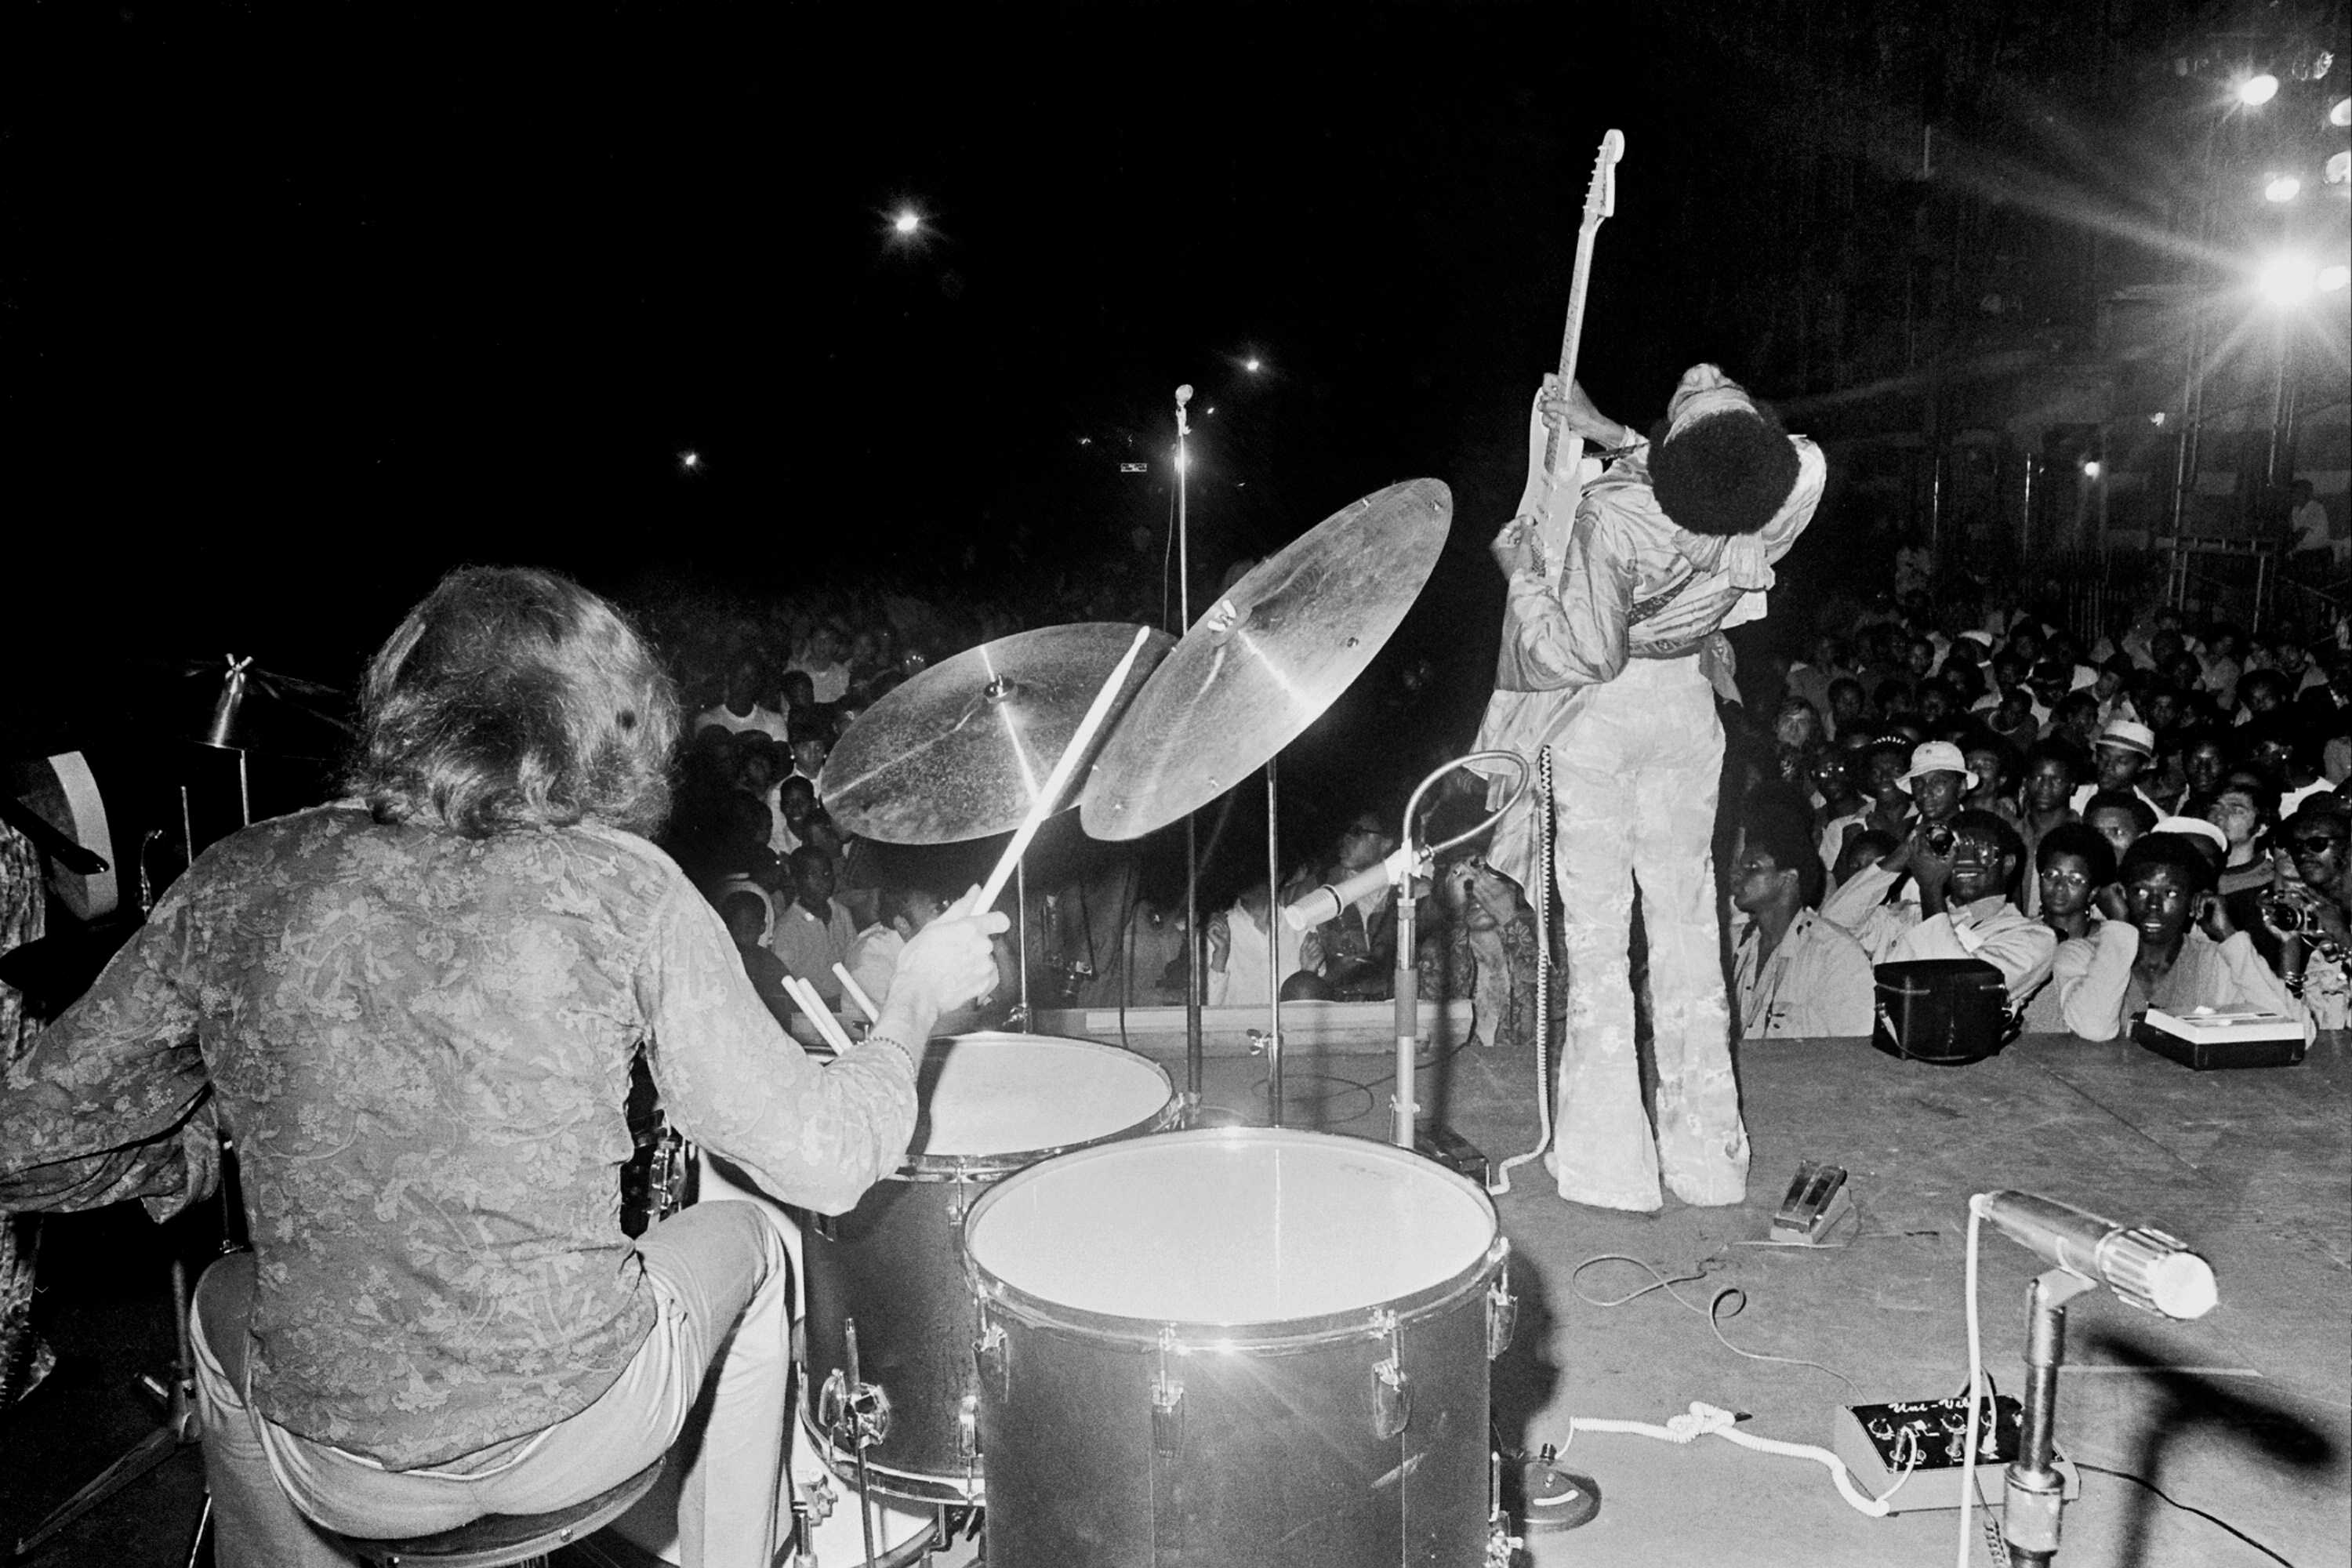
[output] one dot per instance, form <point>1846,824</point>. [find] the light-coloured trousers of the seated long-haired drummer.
<point>726,1296</point>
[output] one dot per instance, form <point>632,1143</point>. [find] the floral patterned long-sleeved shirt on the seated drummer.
<point>422,1045</point>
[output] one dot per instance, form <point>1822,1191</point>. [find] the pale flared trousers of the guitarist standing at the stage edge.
<point>1636,779</point>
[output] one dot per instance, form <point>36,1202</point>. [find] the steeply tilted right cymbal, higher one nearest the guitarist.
<point>1267,659</point>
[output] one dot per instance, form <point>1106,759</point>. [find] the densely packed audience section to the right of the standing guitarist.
<point>2149,817</point>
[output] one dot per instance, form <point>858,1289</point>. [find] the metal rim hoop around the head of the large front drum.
<point>1264,1336</point>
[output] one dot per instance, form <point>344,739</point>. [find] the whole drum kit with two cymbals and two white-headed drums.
<point>1067,1322</point>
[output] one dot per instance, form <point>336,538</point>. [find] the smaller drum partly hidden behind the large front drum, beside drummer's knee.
<point>893,1266</point>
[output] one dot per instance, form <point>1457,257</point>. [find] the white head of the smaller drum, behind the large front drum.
<point>1003,1094</point>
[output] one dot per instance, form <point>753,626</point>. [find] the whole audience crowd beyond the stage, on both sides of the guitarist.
<point>2125,819</point>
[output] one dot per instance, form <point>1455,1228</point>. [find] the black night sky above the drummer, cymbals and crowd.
<point>307,304</point>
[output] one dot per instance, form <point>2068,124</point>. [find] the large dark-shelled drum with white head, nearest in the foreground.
<point>1238,1348</point>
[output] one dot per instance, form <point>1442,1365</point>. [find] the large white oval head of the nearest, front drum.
<point>1231,1228</point>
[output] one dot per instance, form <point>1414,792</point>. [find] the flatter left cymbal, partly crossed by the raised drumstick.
<point>961,751</point>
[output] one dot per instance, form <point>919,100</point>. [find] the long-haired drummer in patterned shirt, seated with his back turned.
<point>417,1007</point>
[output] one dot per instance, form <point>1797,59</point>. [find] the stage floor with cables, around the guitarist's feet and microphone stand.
<point>2245,1414</point>
